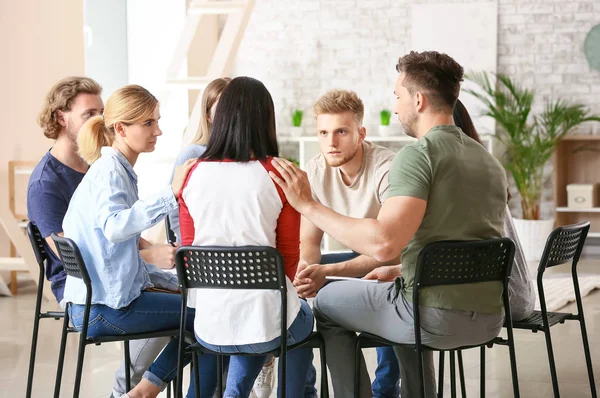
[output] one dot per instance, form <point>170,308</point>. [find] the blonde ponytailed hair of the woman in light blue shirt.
<point>128,105</point>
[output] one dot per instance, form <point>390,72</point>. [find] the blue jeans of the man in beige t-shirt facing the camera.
<point>387,374</point>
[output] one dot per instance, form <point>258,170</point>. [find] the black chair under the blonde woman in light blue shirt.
<point>75,267</point>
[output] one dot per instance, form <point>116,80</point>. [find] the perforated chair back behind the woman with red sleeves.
<point>244,267</point>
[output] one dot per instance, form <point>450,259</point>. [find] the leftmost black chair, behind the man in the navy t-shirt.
<point>37,244</point>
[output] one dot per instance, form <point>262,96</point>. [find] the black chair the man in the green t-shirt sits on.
<point>462,263</point>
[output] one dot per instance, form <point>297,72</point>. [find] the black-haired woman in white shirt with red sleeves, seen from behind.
<point>243,206</point>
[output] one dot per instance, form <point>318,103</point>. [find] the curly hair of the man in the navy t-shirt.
<point>60,98</point>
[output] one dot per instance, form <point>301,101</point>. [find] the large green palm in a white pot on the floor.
<point>529,141</point>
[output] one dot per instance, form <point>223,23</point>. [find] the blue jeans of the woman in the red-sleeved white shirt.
<point>243,370</point>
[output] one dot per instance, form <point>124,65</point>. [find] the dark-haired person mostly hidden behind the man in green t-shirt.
<point>521,290</point>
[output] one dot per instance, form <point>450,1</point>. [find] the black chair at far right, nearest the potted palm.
<point>563,245</point>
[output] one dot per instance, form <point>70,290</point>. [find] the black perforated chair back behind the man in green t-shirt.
<point>460,262</point>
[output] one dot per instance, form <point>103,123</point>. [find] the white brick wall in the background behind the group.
<point>300,49</point>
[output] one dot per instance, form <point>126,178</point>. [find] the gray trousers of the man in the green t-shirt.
<point>344,308</point>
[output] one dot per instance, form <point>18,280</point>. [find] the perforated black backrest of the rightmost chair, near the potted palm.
<point>564,244</point>
